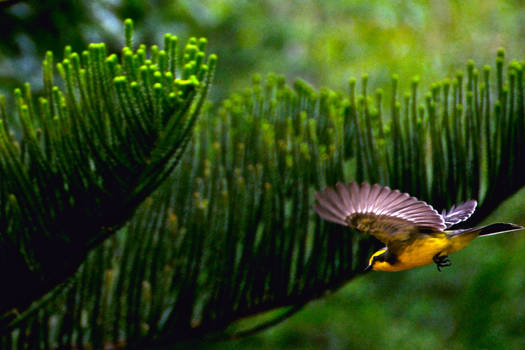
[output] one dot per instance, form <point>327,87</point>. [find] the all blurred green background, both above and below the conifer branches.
<point>475,304</point>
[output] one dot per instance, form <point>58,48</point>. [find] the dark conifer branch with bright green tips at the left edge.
<point>77,161</point>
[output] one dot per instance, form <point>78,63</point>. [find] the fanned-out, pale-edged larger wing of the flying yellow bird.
<point>388,215</point>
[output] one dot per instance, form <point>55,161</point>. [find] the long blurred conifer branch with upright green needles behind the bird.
<point>231,232</point>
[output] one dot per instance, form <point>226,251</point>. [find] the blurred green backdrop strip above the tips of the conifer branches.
<point>322,41</point>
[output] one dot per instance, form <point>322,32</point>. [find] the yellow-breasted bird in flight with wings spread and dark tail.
<point>414,233</point>
